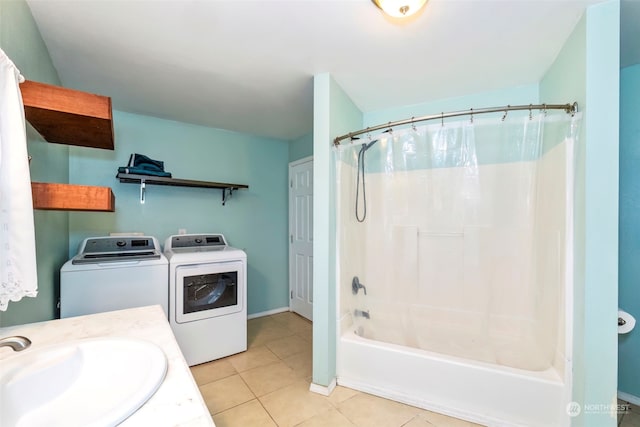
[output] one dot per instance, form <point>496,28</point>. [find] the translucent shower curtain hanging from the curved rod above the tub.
<point>462,251</point>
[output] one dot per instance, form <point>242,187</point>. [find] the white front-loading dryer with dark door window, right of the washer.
<point>207,296</point>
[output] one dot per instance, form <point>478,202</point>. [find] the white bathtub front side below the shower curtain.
<point>480,392</point>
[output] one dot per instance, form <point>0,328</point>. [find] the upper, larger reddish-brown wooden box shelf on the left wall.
<point>67,116</point>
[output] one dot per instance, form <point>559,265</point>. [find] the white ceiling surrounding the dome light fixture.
<point>247,66</point>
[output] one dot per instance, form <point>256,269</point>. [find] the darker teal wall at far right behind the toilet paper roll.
<point>629,265</point>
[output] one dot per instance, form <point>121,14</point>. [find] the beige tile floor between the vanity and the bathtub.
<point>268,385</point>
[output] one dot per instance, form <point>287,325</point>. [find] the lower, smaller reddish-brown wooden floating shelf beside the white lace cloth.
<point>69,197</point>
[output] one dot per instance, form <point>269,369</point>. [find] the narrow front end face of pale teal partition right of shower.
<point>601,225</point>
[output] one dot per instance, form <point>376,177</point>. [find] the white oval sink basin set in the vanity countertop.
<point>90,382</point>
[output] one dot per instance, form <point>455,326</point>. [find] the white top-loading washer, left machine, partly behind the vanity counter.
<point>114,273</point>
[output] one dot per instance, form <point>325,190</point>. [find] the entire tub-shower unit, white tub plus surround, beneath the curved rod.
<point>465,255</point>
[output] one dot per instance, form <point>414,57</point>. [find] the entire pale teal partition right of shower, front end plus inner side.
<point>587,70</point>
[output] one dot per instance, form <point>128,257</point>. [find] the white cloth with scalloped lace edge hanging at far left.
<point>18,274</point>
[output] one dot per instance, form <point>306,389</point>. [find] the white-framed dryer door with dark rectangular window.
<point>208,290</point>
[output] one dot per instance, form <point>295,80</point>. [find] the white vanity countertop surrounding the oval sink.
<point>177,402</point>
